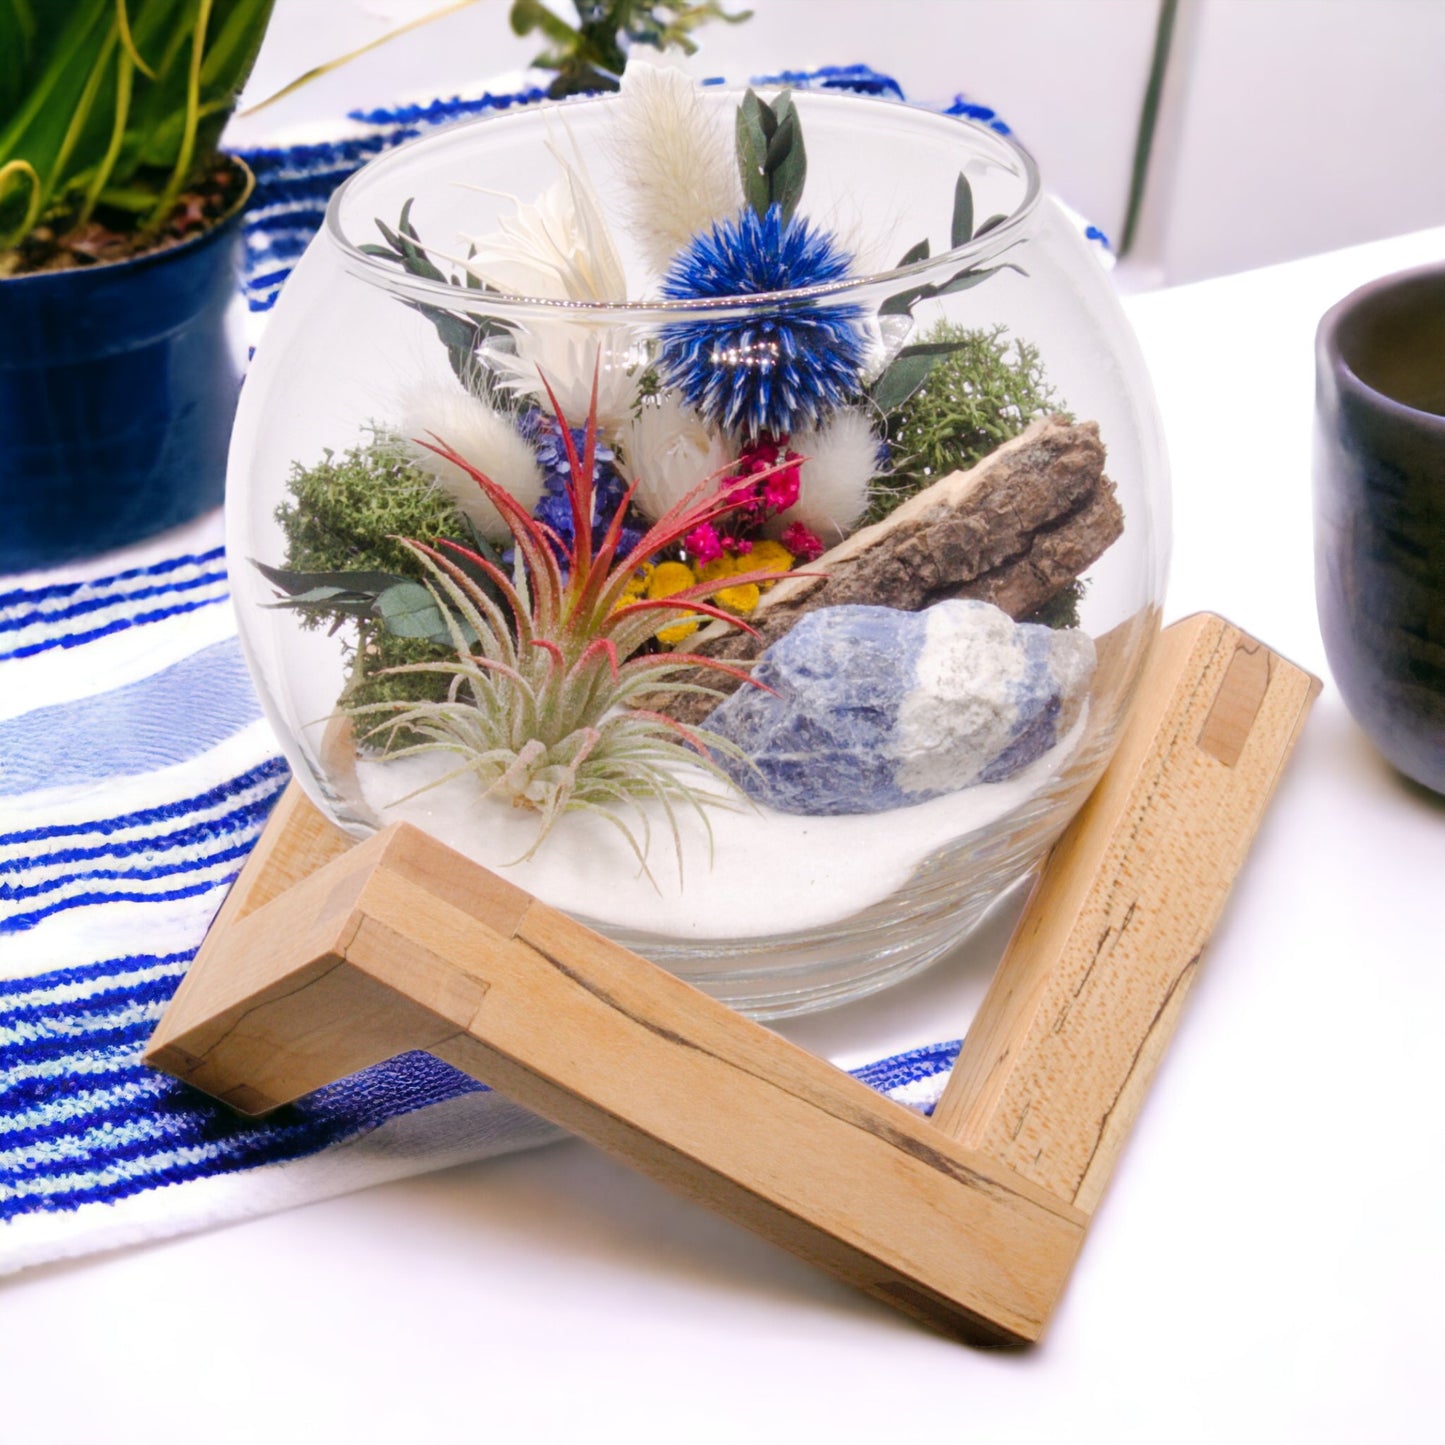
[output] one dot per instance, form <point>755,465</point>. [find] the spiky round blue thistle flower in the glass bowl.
<point>762,374</point>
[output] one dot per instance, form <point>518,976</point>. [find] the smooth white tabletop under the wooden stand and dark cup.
<point>1268,1265</point>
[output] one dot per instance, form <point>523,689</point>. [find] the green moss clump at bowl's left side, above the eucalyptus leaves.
<point>346,512</point>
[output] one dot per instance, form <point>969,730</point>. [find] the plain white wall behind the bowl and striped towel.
<point>1288,128</point>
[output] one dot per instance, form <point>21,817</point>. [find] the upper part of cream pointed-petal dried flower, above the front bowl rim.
<point>558,249</point>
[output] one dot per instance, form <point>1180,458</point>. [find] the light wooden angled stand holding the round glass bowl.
<point>332,956</point>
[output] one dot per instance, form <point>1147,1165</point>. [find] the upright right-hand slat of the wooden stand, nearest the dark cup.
<point>1064,1047</point>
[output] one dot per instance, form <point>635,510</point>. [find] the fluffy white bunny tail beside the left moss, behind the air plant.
<point>488,439</point>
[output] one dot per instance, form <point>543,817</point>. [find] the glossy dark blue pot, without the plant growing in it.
<point>118,391</point>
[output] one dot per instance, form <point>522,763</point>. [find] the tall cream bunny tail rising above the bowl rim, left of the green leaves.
<point>678,158</point>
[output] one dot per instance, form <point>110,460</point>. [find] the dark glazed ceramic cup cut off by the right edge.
<point>1381,514</point>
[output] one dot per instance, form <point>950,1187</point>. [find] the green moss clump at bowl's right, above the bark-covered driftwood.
<point>980,395</point>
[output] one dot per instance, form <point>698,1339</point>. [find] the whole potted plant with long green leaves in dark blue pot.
<point>119,235</point>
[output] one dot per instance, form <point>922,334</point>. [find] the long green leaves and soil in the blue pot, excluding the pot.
<point>111,116</point>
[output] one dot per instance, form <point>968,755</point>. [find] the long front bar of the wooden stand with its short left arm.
<point>592,1037</point>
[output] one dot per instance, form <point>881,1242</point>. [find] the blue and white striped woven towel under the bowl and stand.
<point>137,772</point>
